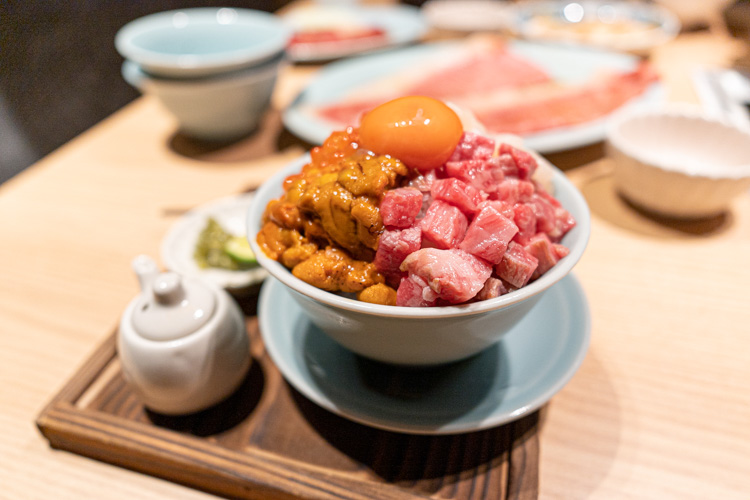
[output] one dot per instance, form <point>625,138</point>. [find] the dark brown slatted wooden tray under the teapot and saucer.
<point>267,441</point>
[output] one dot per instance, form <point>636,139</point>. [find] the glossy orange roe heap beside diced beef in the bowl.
<point>327,224</point>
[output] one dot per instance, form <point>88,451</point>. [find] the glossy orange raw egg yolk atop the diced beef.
<point>420,131</point>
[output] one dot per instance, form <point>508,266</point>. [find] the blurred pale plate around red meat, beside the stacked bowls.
<point>401,23</point>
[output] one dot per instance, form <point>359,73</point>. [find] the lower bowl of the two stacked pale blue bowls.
<point>215,108</point>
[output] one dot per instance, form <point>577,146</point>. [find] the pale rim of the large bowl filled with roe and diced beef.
<point>576,204</point>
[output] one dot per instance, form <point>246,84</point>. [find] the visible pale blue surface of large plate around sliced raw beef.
<point>563,63</point>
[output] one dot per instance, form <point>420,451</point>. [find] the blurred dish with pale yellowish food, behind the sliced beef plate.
<point>617,25</point>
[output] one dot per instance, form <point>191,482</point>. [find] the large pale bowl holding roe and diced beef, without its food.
<point>419,336</point>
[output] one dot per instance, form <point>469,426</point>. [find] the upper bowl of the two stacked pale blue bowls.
<point>204,41</point>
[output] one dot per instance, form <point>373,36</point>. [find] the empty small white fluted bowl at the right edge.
<point>679,162</point>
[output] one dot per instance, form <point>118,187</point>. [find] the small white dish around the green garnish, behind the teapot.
<point>178,245</point>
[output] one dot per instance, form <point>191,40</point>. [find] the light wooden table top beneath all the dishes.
<point>659,409</point>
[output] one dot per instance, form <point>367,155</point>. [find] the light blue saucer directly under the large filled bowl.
<point>503,383</point>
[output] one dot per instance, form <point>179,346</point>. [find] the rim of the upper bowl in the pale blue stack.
<point>163,64</point>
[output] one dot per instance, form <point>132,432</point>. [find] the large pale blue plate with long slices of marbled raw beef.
<point>555,97</point>
